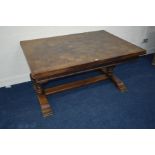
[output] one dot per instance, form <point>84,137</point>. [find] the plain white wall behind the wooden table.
<point>13,66</point>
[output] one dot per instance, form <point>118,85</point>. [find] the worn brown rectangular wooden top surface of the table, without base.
<point>55,53</point>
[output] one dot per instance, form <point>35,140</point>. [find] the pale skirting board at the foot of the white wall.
<point>7,82</point>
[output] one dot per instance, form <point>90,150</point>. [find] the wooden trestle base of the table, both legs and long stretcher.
<point>42,93</point>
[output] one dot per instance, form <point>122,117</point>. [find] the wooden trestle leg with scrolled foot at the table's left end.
<point>45,107</point>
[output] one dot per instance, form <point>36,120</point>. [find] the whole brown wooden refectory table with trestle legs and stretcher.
<point>61,56</point>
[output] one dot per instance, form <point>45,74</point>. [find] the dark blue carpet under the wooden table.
<point>97,106</point>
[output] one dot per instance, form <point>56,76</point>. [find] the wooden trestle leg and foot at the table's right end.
<point>119,84</point>
